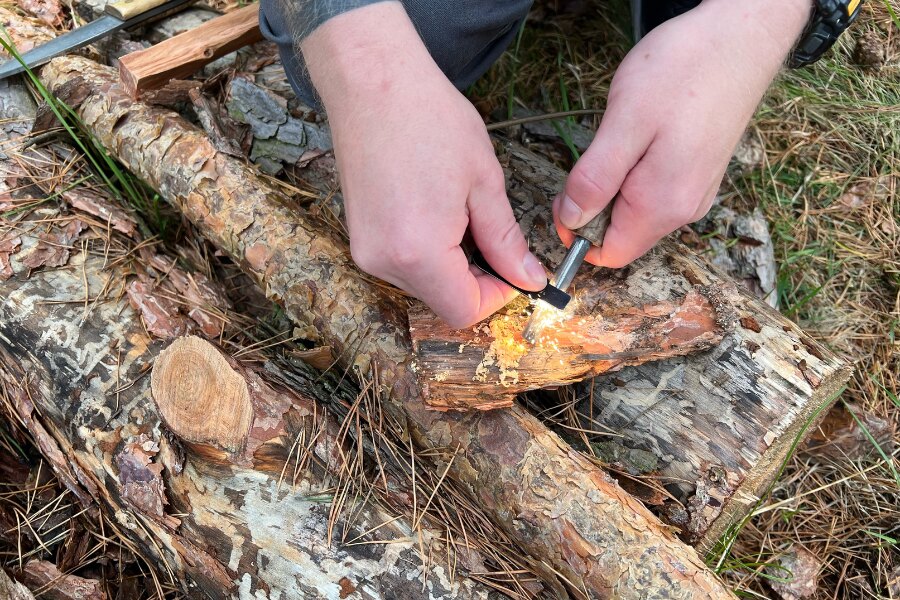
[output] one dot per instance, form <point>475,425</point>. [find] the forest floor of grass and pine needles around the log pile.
<point>826,178</point>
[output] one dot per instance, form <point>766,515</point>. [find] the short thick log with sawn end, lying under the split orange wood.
<point>719,423</point>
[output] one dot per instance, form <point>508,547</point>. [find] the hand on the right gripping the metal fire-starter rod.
<point>677,107</point>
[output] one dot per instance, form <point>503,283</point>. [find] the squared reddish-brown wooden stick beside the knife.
<point>186,53</point>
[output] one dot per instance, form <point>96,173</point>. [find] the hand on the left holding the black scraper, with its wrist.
<point>417,167</point>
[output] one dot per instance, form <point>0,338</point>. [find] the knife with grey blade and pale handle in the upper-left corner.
<point>120,15</point>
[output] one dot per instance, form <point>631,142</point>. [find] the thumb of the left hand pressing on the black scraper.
<point>498,236</point>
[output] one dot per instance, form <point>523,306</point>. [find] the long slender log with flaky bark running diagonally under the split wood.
<point>560,508</point>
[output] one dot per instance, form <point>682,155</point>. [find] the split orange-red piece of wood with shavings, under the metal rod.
<point>610,324</point>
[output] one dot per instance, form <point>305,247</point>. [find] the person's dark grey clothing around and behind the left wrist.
<point>463,36</point>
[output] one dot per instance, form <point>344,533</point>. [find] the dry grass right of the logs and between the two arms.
<point>829,190</point>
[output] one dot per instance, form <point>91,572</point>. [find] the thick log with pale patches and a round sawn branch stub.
<point>207,505</point>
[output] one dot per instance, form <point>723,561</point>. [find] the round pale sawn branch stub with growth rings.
<point>201,398</point>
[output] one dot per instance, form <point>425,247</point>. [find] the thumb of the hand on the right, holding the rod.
<point>619,144</point>
